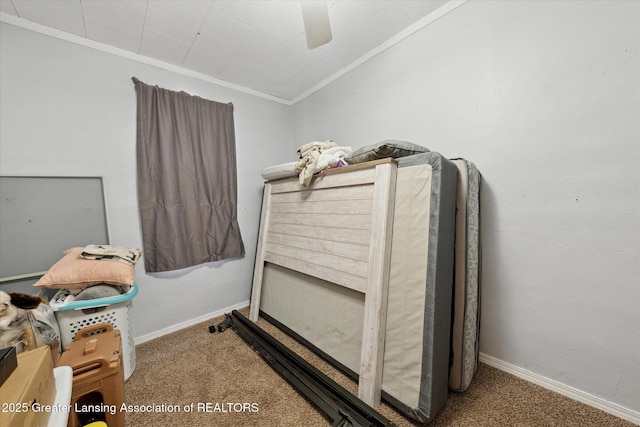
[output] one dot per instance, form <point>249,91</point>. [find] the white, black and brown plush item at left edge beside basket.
<point>15,326</point>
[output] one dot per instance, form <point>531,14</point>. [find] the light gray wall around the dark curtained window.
<point>67,109</point>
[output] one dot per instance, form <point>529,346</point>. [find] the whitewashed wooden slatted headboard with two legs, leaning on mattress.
<point>338,229</point>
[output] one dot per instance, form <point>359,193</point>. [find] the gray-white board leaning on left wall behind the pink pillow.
<point>42,216</point>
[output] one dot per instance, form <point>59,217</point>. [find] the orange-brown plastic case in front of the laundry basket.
<point>95,355</point>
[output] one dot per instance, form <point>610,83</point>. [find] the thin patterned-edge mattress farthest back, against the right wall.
<point>465,332</point>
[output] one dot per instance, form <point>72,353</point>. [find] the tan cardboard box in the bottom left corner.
<point>25,395</point>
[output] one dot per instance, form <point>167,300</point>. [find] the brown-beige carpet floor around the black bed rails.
<point>195,378</point>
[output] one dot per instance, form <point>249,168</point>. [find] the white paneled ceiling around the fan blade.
<point>258,45</point>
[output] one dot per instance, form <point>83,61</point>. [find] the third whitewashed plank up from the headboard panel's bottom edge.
<point>324,245</point>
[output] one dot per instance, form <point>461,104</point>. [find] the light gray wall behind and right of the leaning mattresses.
<point>545,98</point>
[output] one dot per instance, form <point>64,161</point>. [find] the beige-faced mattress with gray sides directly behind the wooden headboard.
<point>329,318</point>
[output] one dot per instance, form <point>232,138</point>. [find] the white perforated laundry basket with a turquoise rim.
<point>73,316</point>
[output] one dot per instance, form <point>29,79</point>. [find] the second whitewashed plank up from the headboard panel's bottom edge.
<point>334,262</point>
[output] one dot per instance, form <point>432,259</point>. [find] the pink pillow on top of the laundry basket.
<point>73,271</point>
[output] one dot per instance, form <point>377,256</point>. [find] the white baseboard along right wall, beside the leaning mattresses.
<point>565,390</point>
